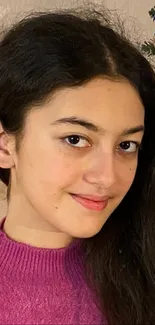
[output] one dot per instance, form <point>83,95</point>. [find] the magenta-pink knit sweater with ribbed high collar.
<point>44,286</point>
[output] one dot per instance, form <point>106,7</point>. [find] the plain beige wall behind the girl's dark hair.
<point>133,11</point>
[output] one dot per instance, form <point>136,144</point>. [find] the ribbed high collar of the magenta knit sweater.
<point>33,264</point>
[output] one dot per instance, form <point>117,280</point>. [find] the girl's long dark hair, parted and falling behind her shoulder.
<point>48,51</point>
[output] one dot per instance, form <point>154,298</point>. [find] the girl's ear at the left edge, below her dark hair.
<point>6,152</point>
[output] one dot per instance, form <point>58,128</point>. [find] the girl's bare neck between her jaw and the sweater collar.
<point>38,233</point>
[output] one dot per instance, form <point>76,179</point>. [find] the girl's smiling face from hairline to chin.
<point>82,143</point>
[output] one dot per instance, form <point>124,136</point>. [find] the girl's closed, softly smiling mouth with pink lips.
<point>91,204</point>
